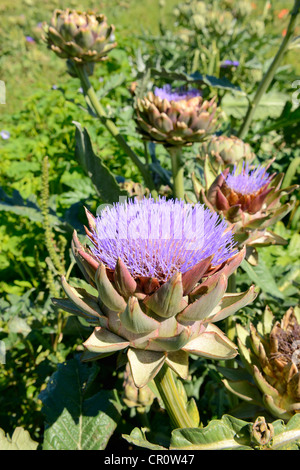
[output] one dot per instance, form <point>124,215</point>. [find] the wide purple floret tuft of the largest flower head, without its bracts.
<point>158,238</point>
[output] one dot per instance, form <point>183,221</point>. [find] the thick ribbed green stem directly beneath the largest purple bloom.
<point>171,398</point>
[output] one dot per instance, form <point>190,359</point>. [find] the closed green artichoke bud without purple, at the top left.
<point>83,37</point>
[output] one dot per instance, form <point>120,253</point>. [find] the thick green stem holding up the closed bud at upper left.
<point>111,127</point>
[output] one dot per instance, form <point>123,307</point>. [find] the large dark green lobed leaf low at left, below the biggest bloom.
<point>75,420</point>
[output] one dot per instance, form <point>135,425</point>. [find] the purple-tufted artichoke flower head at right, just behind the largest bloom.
<point>249,198</point>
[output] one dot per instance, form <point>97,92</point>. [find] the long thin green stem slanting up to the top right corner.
<point>268,77</point>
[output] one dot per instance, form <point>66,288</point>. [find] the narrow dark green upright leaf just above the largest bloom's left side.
<point>104,181</point>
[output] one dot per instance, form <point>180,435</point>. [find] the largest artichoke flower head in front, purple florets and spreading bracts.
<point>147,302</point>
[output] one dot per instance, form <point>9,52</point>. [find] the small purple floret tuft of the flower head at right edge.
<point>247,181</point>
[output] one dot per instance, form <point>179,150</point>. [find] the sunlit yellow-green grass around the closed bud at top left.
<point>26,67</point>
